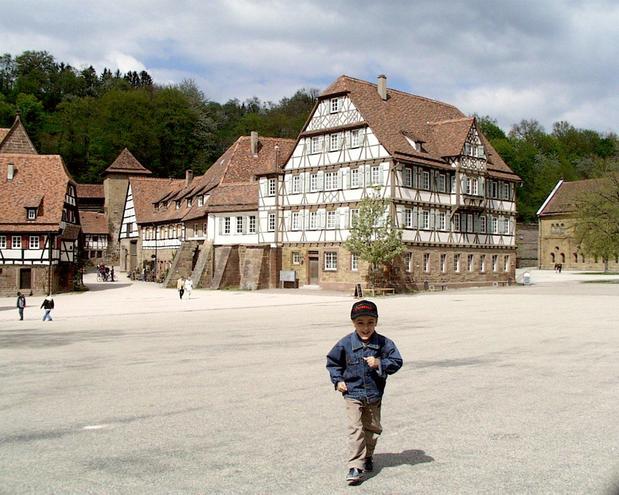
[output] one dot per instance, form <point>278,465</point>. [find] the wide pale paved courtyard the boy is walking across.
<point>131,391</point>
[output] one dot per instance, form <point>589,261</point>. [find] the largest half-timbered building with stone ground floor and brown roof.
<point>451,193</point>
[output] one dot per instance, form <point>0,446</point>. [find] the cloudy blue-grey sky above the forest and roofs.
<point>548,60</point>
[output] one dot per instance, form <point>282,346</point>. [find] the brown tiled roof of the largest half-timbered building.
<point>441,127</point>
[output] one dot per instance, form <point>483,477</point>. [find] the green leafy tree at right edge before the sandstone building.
<point>597,220</point>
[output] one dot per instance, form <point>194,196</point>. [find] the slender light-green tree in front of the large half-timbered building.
<point>374,237</point>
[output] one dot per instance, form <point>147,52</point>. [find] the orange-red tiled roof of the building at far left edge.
<point>36,176</point>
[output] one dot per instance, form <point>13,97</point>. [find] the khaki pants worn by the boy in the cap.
<point>363,430</point>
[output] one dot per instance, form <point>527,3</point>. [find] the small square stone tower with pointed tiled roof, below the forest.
<point>115,186</point>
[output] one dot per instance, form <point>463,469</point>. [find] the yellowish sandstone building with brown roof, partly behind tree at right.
<point>557,244</point>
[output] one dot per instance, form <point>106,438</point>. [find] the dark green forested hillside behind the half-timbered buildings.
<point>89,117</point>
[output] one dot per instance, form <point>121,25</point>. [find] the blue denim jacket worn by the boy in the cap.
<point>345,363</point>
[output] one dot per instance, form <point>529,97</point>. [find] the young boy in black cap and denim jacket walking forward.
<point>359,364</point>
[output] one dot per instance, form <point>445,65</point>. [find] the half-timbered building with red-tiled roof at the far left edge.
<point>39,224</point>
